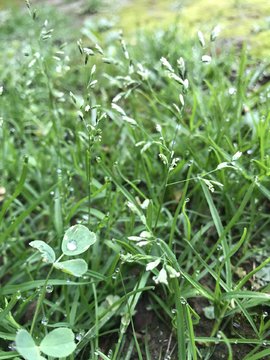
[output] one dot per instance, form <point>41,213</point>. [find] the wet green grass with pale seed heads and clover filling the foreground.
<point>162,163</point>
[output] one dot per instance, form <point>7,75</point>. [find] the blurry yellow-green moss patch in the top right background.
<point>238,19</point>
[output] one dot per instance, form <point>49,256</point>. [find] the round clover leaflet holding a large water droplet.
<point>77,240</point>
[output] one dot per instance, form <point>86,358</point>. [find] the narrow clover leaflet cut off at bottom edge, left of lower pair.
<point>26,346</point>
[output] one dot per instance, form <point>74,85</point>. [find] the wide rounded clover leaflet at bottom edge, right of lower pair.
<point>58,343</point>
